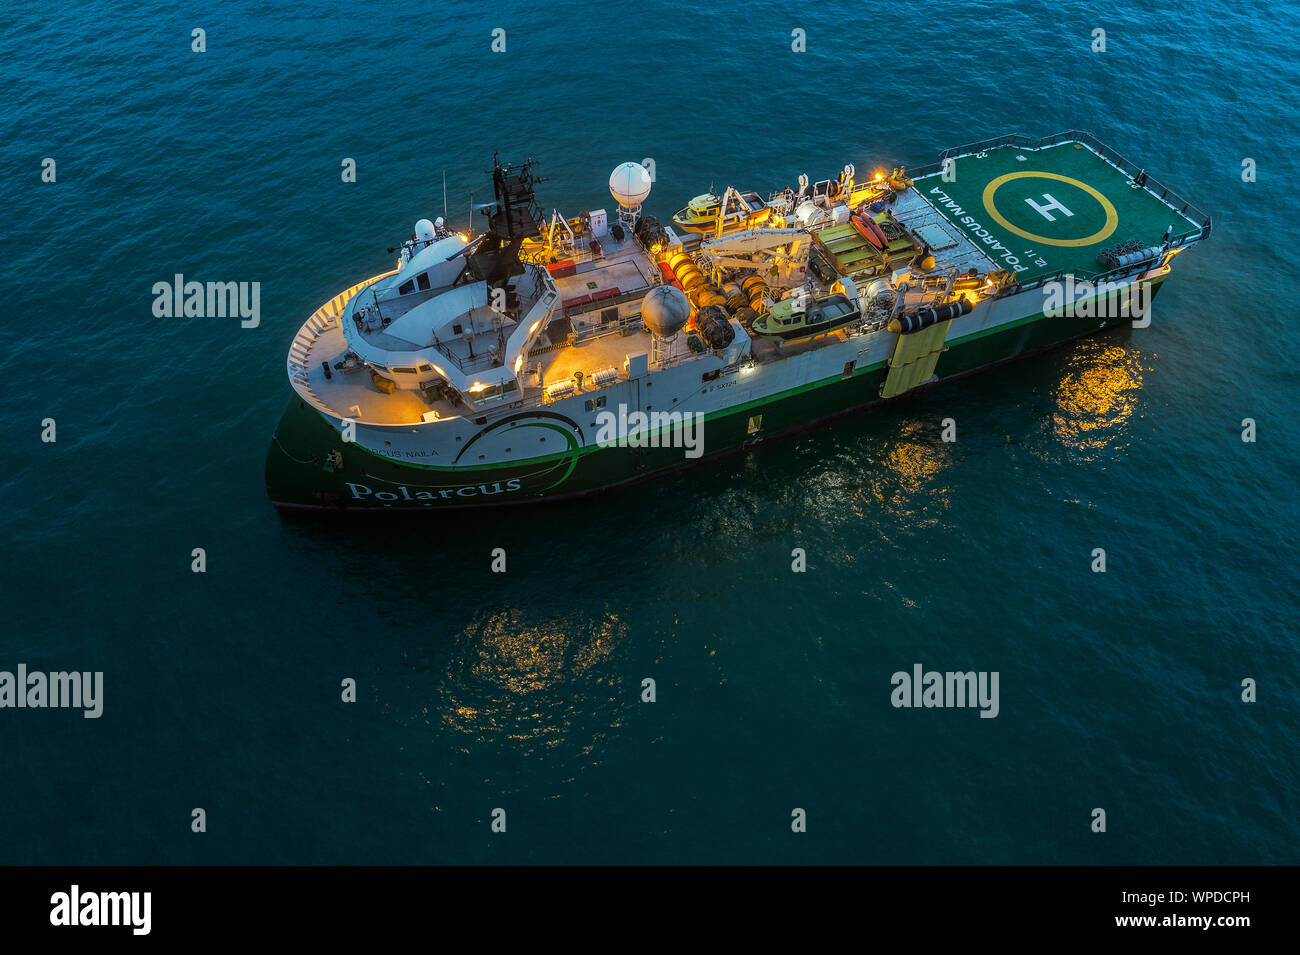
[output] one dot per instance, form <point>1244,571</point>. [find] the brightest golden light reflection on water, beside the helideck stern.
<point>1097,398</point>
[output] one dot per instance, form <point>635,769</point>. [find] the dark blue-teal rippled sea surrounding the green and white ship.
<point>1119,691</point>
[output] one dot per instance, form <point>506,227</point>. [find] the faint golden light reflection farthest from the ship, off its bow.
<point>517,679</point>
